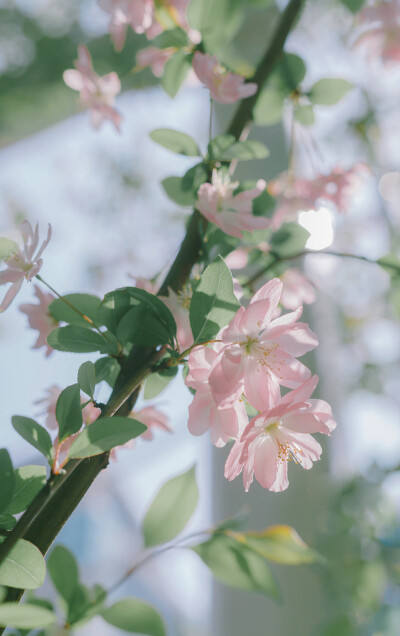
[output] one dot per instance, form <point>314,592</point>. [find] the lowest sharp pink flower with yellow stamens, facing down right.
<point>279,434</point>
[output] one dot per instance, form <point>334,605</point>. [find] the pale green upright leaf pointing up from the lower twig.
<point>171,509</point>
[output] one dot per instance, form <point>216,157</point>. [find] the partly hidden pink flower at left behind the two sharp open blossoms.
<point>204,413</point>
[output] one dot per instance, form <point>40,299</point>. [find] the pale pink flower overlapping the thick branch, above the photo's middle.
<point>231,212</point>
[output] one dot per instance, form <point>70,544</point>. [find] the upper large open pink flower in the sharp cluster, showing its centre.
<point>259,353</point>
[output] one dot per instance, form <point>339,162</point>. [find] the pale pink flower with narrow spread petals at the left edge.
<point>23,262</point>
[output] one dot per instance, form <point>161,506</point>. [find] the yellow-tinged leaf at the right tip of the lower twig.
<point>280,544</point>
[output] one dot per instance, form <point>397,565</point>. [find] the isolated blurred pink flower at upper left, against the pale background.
<point>97,94</point>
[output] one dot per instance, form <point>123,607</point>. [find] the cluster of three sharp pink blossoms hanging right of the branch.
<point>251,359</point>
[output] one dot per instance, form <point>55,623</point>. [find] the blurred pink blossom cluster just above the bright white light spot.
<point>298,194</point>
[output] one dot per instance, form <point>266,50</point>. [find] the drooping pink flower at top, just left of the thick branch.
<point>224,87</point>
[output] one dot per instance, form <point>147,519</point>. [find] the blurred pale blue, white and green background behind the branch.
<point>112,222</point>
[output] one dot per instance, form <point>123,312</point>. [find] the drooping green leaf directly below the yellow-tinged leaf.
<point>237,565</point>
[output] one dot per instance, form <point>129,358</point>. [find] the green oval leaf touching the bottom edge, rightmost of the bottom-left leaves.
<point>136,617</point>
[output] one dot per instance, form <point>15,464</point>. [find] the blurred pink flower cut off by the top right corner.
<point>381,39</point>
